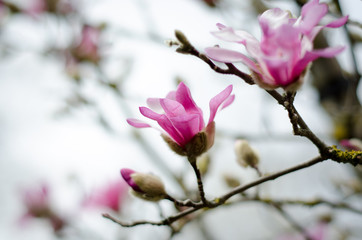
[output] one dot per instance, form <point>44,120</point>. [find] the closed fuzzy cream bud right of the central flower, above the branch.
<point>245,155</point>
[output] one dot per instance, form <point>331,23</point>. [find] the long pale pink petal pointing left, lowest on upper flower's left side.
<point>229,56</point>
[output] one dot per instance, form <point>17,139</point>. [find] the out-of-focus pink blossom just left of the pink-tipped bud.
<point>109,196</point>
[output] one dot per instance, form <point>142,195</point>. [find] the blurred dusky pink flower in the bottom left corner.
<point>37,205</point>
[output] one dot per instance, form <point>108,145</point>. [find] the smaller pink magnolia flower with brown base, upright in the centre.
<point>182,119</point>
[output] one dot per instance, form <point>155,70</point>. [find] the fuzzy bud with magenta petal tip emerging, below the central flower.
<point>146,186</point>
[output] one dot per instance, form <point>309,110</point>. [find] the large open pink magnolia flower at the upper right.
<point>286,47</point>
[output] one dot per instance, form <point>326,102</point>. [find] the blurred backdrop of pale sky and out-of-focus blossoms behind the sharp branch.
<point>72,72</point>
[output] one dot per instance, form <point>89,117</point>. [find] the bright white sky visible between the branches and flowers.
<point>74,153</point>
